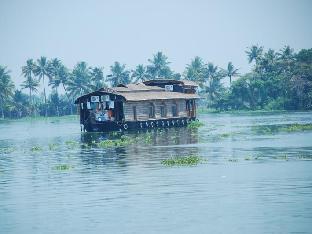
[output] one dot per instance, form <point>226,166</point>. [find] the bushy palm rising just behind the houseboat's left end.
<point>80,80</point>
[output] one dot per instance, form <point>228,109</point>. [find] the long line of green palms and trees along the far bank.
<point>277,80</point>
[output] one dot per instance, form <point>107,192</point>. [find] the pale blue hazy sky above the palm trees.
<point>101,32</point>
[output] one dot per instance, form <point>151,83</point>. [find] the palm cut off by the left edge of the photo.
<point>6,87</point>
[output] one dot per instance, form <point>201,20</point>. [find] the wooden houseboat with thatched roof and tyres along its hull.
<point>151,104</point>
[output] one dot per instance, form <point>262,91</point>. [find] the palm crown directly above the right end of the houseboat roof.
<point>195,70</point>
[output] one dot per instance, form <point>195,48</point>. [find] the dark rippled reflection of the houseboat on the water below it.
<point>147,146</point>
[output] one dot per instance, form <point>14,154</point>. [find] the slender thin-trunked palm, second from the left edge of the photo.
<point>30,83</point>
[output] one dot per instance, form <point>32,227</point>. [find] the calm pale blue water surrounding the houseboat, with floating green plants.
<point>259,183</point>
